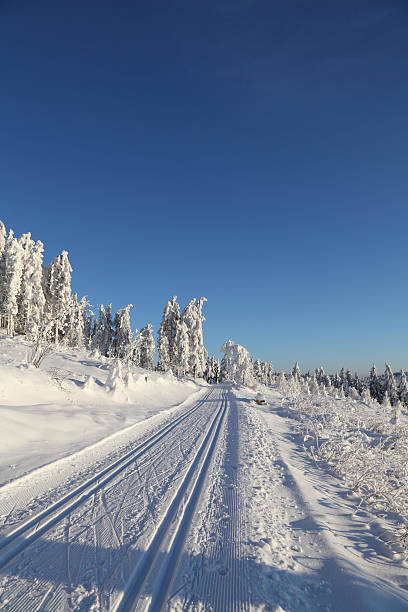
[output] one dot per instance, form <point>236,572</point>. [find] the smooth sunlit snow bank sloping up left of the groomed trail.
<point>64,405</point>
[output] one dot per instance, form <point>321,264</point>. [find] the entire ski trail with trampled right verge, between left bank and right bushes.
<point>214,506</point>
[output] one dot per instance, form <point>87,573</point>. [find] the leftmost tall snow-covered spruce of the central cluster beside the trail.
<point>167,349</point>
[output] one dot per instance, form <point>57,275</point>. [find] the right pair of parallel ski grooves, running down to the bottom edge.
<point>173,528</point>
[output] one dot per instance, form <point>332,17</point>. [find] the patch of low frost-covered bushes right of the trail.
<point>364,443</point>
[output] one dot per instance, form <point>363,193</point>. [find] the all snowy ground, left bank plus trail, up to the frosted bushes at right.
<point>175,495</point>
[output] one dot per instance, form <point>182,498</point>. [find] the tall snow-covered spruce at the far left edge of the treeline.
<point>11,271</point>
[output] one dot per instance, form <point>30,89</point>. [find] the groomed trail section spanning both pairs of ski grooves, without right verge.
<point>81,551</point>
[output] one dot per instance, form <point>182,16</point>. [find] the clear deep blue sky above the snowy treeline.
<point>253,152</point>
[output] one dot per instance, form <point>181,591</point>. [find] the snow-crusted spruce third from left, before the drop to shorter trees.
<point>57,291</point>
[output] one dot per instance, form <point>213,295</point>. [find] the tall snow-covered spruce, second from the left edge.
<point>31,300</point>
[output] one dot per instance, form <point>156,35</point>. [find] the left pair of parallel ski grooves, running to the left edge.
<point>21,537</point>
